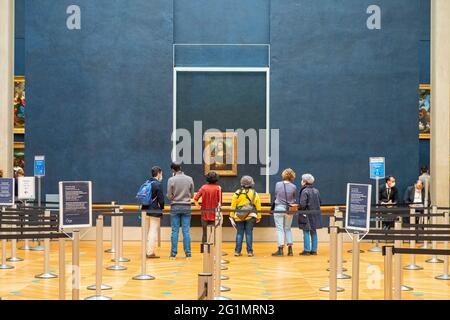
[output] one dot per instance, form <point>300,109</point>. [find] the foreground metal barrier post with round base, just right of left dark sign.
<point>98,263</point>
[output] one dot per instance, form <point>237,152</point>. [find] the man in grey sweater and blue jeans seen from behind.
<point>180,190</point>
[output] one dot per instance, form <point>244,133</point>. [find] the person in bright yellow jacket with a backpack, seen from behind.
<point>245,199</point>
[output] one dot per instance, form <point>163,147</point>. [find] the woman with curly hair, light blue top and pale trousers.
<point>285,195</point>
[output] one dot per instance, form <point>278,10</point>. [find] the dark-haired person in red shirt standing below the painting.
<point>211,195</point>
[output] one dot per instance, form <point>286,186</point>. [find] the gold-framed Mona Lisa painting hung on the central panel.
<point>220,153</point>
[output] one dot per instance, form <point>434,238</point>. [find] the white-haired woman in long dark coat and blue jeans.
<point>309,223</point>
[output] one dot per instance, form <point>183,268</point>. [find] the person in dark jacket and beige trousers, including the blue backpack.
<point>152,199</point>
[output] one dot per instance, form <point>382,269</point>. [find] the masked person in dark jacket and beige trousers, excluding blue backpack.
<point>157,205</point>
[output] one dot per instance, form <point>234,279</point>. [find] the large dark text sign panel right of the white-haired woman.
<point>358,207</point>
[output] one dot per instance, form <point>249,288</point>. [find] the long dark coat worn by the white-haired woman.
<point>310,200</point>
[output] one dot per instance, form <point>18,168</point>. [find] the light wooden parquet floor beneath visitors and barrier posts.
<point>261,277</point>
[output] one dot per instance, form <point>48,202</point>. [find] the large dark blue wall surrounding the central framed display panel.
<point>100,99</point>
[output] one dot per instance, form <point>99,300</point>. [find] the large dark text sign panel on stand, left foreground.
<point>75,204</point>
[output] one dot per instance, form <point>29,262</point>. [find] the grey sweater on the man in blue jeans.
<point>180,189</point>
